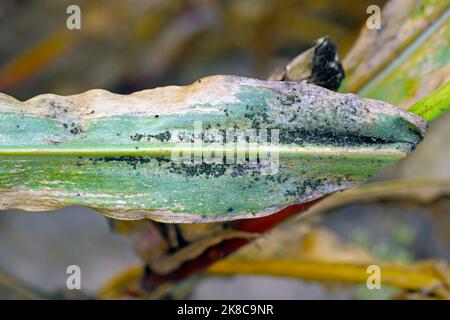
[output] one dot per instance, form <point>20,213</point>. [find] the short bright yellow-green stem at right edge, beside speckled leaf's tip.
<point>434,105</point>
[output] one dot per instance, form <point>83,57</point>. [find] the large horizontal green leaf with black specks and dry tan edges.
<point>115,153</point>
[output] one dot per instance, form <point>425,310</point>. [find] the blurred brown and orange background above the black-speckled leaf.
<point>125,46</point>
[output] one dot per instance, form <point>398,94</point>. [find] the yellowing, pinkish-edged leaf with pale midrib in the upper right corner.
<point>406,59</point>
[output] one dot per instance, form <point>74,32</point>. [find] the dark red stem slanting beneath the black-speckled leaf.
<point>223,249</point>
